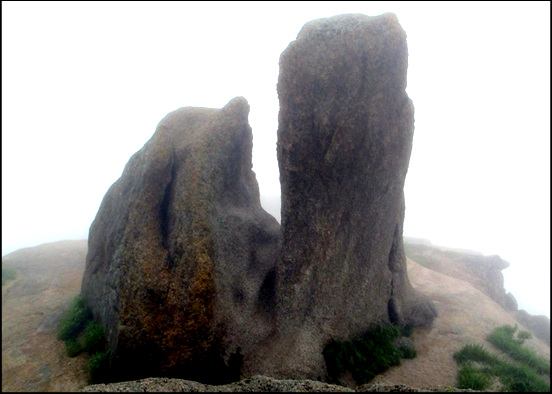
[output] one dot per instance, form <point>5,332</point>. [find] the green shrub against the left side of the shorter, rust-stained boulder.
<point>82,334</point>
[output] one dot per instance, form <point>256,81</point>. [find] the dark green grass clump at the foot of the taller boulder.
<point>365,357</point>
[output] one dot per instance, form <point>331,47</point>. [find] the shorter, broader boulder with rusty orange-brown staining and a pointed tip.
<point>181,256</point>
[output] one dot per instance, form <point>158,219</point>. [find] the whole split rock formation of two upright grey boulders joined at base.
<point>189,275</point>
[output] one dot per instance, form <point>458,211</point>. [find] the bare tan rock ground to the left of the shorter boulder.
<point>48,278</point>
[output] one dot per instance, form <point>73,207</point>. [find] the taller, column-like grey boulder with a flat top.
<point>344,140</point>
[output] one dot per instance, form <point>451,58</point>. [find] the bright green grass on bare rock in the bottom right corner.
<point>478,367</point>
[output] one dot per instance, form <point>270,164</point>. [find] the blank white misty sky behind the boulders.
<point>84,85</point>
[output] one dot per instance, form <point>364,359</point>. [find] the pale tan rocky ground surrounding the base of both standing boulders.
<point>49,276</point>
